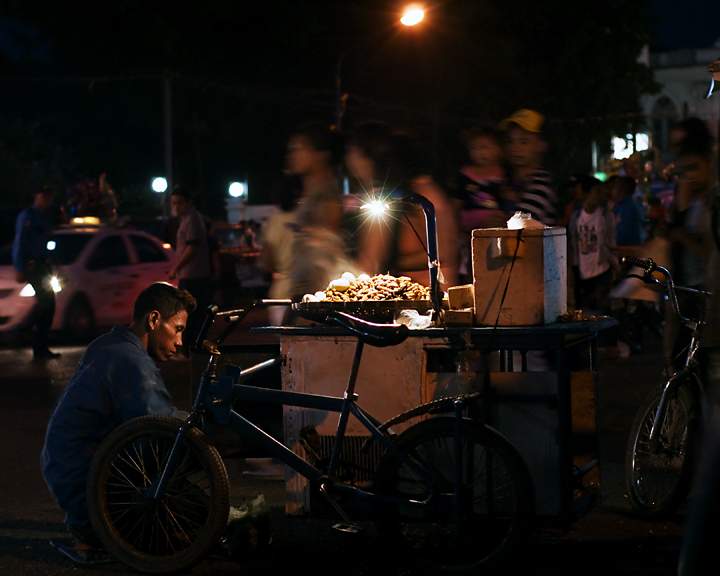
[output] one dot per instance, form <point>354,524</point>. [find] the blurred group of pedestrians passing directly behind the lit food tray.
<point>321,233</point>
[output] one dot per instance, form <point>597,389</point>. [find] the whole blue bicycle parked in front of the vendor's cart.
<point>451,492</point>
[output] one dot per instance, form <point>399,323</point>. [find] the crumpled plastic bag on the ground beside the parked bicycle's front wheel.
<point>248,530</point>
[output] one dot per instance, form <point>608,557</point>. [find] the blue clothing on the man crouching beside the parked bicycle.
<point>115,381</point>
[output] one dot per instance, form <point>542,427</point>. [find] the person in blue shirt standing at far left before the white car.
<point>31,260</point>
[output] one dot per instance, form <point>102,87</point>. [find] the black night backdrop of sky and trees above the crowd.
<point>81,82</point>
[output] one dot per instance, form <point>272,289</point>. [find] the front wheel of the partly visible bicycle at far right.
<point>658,481</point>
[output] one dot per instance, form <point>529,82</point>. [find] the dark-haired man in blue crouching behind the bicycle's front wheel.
<point>116,380</point>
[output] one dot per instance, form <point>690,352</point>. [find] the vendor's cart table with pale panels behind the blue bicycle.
<point>531,394</point>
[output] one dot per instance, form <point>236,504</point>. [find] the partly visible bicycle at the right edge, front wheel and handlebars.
<point>664,437</point>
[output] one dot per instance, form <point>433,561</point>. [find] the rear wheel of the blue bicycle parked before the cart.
<point>502,502</point>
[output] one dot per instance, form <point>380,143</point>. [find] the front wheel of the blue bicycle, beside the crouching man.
<point>176,532</point>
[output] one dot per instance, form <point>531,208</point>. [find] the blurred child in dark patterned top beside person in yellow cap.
<point>480,191</point>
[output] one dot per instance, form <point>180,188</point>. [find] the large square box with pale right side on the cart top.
<point>537,292</point>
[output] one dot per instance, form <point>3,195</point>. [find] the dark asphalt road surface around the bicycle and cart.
<point>607,540</point>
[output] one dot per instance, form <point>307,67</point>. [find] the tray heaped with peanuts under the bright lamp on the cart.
<point>373,298</point>
